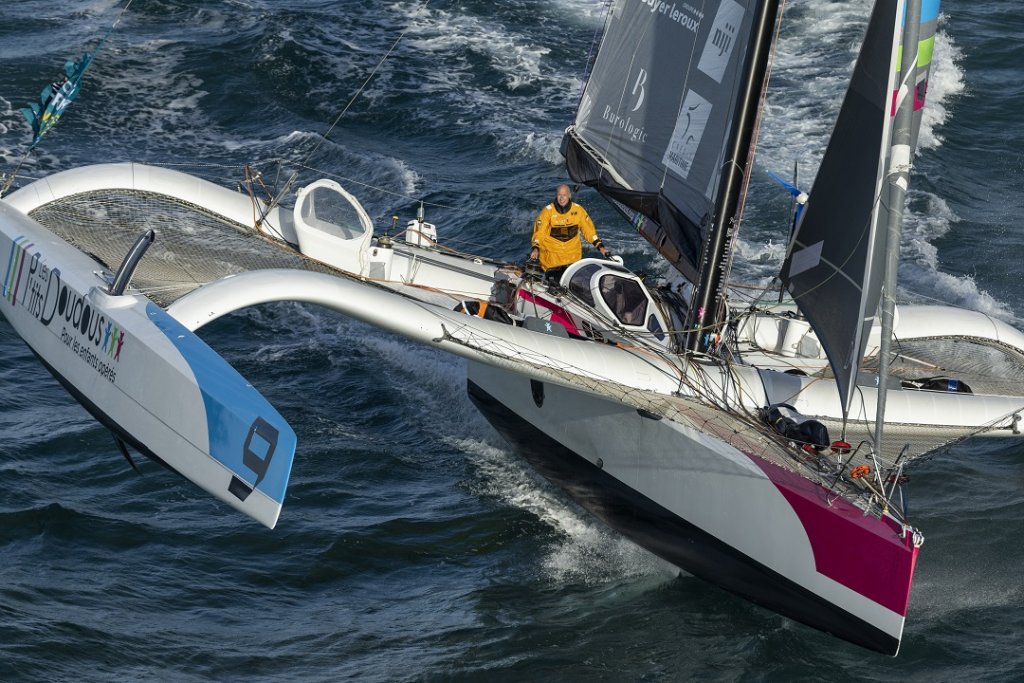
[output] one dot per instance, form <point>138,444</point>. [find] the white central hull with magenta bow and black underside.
<point>727,517</point>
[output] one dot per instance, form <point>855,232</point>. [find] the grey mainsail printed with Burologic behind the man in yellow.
<point>654,126</point>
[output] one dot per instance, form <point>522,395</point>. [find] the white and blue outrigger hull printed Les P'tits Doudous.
<point>154,383</point>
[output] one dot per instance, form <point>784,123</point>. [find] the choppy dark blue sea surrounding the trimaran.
<point>414,545</point>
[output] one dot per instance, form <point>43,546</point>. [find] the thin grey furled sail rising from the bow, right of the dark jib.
<point>899,178</point>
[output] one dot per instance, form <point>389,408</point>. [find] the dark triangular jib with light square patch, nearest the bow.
<point>835,266</point>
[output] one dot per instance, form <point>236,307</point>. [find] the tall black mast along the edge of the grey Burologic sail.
<point>708,297</point>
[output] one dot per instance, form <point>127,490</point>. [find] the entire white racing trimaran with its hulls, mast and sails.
<point>736,439</point>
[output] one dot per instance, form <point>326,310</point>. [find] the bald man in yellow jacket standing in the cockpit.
<point>558,232</point>
